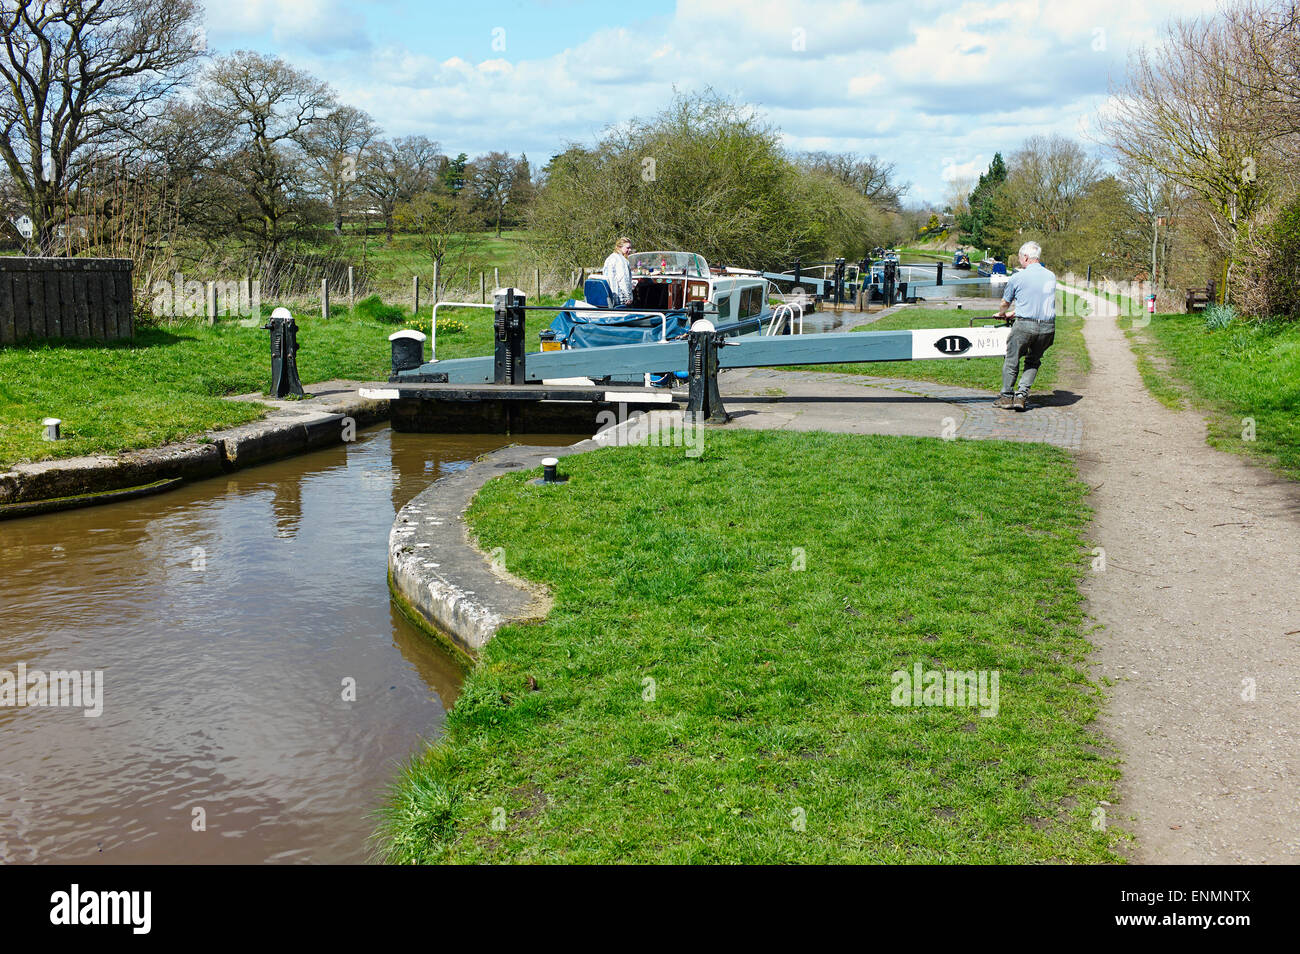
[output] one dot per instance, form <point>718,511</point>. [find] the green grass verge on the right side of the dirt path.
<point>1245,371</point>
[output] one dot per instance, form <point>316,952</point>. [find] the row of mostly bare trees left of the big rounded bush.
<point>122,131</point>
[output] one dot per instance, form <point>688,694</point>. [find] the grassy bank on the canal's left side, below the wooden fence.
<point>170,383</point>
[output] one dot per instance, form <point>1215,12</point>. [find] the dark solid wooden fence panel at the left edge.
<point>66,298</point>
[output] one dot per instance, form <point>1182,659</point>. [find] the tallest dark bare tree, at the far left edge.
<point>83,73</point>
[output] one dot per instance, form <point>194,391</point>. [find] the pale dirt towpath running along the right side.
<point>1201,591</point>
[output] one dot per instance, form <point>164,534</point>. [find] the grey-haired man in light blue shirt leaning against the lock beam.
<point>1030,297</point>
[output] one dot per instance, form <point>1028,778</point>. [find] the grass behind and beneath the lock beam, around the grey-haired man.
<point>1065,361</point>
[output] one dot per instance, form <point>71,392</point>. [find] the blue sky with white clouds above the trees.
<point>934,88</point>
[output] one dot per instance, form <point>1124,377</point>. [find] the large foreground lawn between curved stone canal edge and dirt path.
<point>697,695</point>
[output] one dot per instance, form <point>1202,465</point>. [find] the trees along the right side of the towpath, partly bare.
<point>1204,140</point>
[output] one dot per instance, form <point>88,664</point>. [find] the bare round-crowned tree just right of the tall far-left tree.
<point>270,110</point>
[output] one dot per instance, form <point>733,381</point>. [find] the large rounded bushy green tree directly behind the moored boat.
<point>708,176</point>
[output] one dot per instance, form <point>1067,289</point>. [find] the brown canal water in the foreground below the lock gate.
<point>228,618</point>
